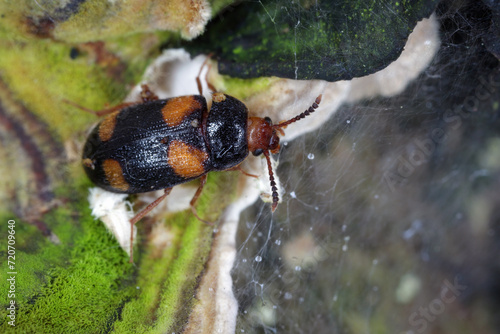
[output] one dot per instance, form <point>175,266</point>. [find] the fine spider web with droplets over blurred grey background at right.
<point>390,210</point>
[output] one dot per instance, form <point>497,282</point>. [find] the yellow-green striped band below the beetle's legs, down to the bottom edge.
<point>168,283</point>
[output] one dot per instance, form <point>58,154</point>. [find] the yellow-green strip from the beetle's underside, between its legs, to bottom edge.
<point>168,277</point>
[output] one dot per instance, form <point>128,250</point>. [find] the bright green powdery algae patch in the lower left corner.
<point>75,286</point>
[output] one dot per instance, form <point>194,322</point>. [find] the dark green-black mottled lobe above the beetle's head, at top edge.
<point>330,40</point>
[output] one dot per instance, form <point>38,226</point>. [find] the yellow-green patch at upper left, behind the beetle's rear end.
<point>44,76</point>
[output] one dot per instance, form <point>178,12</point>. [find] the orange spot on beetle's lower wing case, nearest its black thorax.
<point>186,160</point>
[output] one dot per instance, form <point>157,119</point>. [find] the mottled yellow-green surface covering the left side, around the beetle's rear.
<point>84,284</point>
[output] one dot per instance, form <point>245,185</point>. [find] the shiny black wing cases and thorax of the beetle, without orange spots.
<point>140,142</point>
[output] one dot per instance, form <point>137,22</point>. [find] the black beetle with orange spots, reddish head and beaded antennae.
<point>159,143</point>
